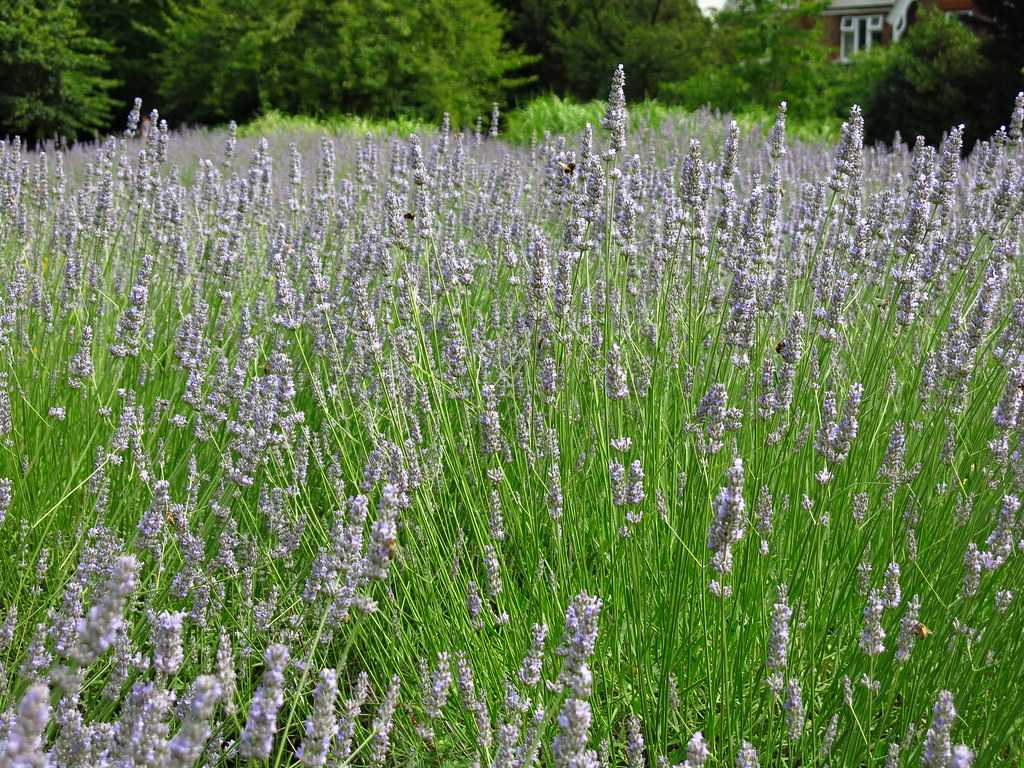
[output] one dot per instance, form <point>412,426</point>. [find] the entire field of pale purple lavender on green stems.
<point>647,447</point>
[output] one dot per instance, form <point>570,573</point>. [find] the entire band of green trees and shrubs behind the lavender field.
<point>73,67</point>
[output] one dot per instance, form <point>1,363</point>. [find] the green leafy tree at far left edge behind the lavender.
<point>55,74</point>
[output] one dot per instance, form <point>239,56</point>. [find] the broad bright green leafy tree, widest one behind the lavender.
<point>234,59</point>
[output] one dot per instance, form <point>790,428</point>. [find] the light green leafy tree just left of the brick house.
<point>764,52</point>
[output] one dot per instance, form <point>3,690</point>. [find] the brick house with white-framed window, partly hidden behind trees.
<point>854,26</point>
